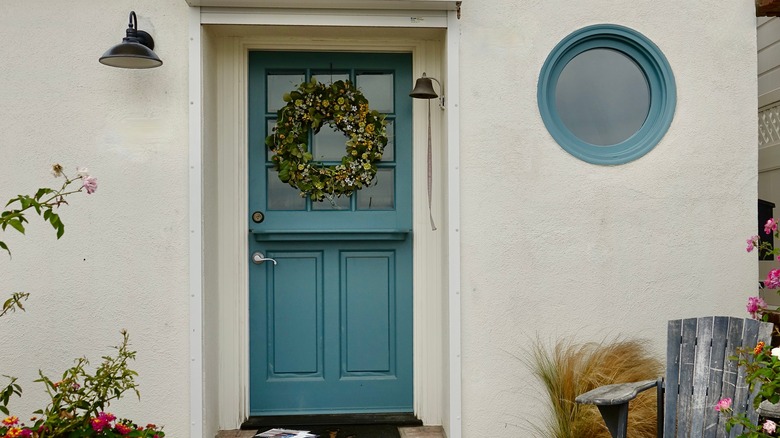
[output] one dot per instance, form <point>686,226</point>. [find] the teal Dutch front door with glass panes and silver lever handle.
<point>331,322</point>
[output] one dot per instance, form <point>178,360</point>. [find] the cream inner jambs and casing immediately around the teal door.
<point>430,387</point>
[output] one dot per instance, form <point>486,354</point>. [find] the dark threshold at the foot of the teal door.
<point>397,419</point>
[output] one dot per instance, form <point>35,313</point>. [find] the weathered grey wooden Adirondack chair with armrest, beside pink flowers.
<point>698,374</point>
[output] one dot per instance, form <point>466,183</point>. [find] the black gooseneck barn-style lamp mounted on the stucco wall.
<point>135,51</point>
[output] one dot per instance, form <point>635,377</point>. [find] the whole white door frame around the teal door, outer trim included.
<point>442,247</point>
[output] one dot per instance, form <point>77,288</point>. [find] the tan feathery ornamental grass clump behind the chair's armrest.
<point>568,370</point>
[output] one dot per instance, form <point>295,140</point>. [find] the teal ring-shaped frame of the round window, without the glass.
<point>660,80</point>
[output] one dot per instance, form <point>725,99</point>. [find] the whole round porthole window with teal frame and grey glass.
<point>607,94</point>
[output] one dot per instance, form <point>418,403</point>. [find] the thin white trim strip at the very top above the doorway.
<point>444,5</point>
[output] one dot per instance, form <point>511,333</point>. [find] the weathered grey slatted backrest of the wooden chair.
<point>699,373</point>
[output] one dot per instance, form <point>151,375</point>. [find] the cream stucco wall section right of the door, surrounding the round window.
<point>554,247</point>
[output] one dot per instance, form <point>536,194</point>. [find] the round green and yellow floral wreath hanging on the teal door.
<point>342,106</point>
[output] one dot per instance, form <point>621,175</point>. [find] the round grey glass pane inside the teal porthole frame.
<point>602,97</point>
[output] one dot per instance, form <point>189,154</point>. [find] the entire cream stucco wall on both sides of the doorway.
<point>551,246</point>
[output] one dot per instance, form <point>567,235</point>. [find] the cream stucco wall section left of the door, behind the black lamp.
<point>122,262</point>
